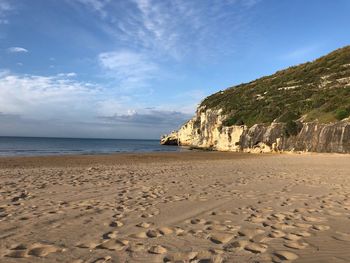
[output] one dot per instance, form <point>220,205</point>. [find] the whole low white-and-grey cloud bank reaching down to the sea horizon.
<point>61,106</point>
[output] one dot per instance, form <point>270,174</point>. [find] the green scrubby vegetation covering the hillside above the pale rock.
<point>314,91</point>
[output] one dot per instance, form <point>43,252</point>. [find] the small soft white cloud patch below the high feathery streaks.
<point>129,68</point>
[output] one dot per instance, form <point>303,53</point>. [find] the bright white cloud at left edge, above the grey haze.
<point>46,96</point>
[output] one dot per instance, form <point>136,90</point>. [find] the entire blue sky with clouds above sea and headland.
<point>136,69</point>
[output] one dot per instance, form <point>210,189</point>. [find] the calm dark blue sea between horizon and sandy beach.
<point>25,146</point>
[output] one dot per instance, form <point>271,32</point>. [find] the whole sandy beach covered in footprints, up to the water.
<point>176,207</point>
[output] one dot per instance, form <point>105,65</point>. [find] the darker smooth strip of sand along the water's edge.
<point>144,157</point>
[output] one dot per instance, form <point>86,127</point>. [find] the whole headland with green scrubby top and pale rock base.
<point>302,108</point>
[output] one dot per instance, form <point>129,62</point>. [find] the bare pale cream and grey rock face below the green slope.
<point>205,130</point>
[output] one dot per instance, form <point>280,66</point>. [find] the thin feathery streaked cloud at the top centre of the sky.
<point>174,29</point>
